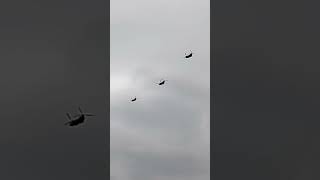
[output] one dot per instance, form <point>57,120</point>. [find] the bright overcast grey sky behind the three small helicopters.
<point>165,133</point>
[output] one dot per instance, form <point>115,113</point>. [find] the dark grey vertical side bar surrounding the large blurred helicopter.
<point>54,57</point>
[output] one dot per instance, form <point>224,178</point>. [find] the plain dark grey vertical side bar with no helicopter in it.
<point>265,89</point>
